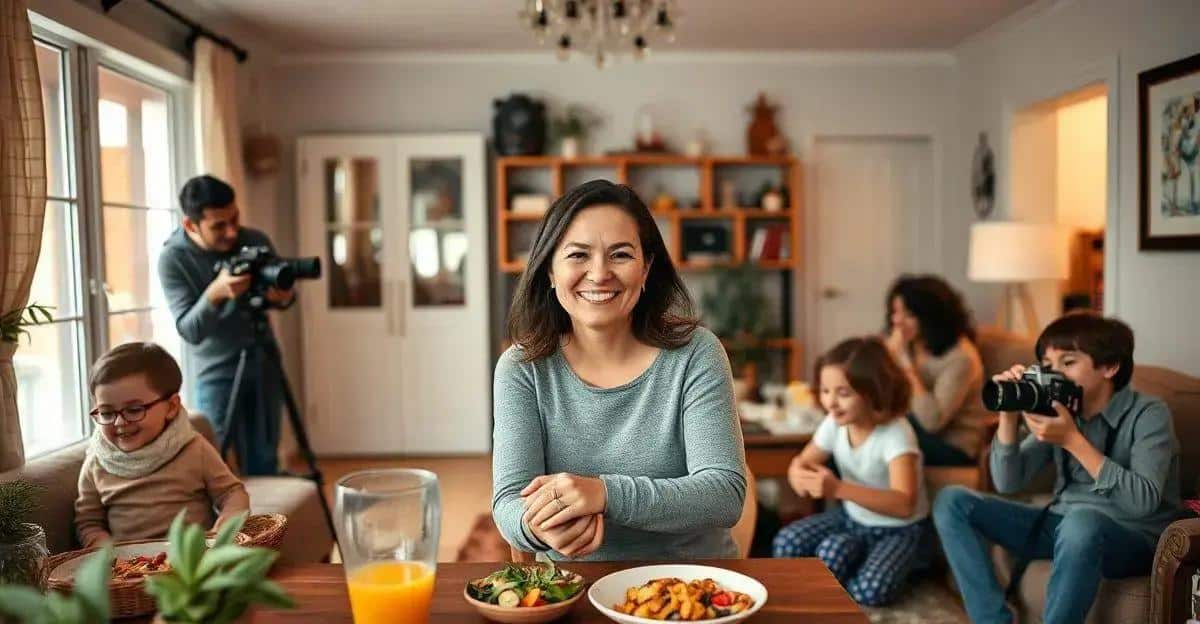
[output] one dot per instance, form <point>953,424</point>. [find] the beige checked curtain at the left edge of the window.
<point>22,199</point>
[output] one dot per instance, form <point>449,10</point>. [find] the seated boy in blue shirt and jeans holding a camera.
<point>1118,484</point>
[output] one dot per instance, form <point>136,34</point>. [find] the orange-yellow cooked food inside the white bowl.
<point>679,601</point>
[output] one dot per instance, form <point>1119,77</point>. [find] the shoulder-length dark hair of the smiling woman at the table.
<point>665,314</point>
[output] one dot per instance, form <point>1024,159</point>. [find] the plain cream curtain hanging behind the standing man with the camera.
<point>218,134</point>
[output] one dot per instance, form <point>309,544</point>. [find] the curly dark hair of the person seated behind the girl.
<point>940,311</point>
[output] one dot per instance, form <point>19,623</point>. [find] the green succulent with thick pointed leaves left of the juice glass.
<point>213,585</point>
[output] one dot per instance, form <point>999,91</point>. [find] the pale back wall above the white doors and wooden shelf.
<point>819,95</point>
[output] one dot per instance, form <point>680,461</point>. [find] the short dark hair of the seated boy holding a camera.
<point>1107,340</point>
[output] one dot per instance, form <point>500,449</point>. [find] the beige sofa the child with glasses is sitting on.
<point>308,537</point>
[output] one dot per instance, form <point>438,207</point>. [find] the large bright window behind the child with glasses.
<point>100,244</point>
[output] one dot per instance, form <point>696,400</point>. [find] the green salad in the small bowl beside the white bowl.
<point>526,586</point>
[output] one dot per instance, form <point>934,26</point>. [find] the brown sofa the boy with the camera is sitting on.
<point>1162,598</point>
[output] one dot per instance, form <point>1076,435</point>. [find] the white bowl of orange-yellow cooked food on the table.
<point>697,593</point>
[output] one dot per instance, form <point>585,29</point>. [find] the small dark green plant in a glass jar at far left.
<point>22,544</point>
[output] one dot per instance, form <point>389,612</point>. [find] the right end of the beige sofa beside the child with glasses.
<point>308,537</point>
